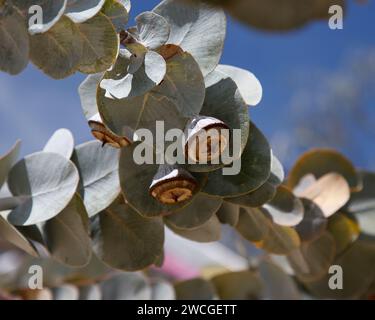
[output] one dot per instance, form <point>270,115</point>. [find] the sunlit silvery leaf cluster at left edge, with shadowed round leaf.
<point>53,194</point>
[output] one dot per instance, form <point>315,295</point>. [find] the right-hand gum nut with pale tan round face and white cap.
<point>205,140</point>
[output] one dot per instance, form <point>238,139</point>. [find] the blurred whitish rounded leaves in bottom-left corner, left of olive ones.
<point>92,282</point>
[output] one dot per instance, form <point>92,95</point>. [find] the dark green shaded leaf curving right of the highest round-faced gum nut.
<point>255,169</point>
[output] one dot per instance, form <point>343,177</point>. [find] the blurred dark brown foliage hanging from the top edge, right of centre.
<point>277,15</point>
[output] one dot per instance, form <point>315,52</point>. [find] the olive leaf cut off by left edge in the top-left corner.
<point>14,46</point>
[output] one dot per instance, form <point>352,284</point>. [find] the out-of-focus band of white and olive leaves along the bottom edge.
<point>96,281</point>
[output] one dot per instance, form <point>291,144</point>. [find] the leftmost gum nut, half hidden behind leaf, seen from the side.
<point>103,134</point>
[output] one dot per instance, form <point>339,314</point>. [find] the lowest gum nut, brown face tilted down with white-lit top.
<point>172,185</point>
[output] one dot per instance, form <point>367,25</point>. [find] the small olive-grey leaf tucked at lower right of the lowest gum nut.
<point>196,213</point>
